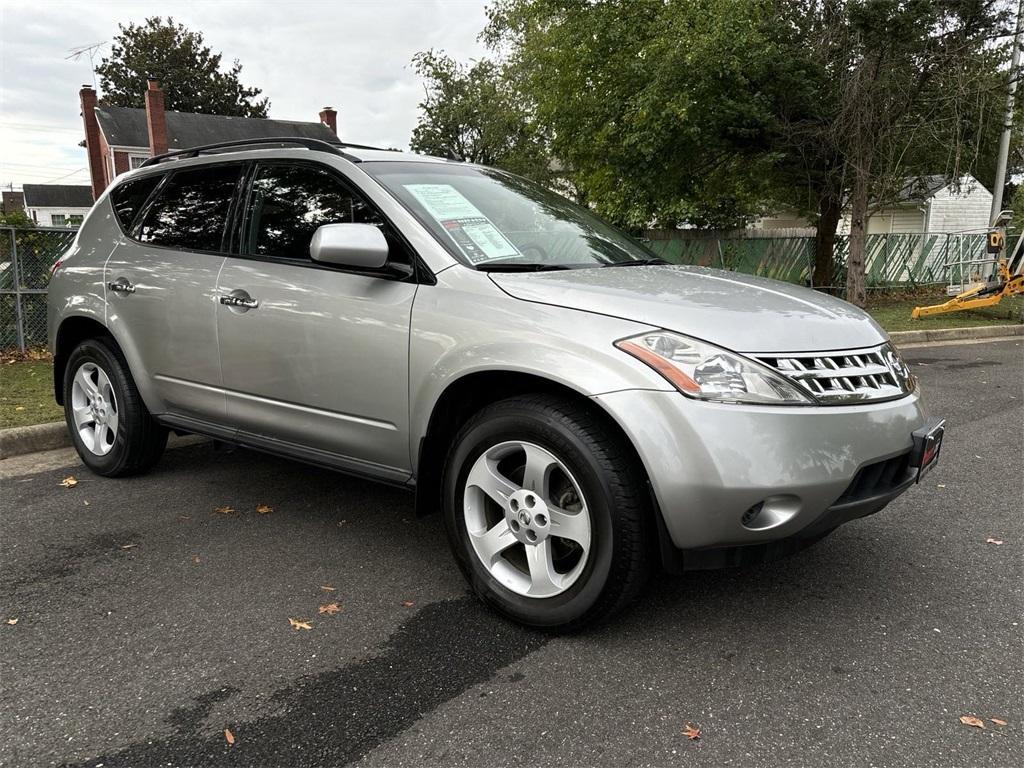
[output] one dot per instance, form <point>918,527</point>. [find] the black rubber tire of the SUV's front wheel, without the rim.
<point>615,487</point>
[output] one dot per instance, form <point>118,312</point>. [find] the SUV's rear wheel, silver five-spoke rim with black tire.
<point>111,428</point>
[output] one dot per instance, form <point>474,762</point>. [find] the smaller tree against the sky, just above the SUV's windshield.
<point>474,113</point>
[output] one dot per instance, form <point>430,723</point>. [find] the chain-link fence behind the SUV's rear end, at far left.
<point>26,258</point>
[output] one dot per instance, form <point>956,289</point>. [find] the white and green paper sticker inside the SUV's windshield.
<point>471,230</point>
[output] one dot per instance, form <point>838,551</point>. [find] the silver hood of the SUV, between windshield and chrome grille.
<point>738,312</point>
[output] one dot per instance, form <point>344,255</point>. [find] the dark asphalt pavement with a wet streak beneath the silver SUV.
<point>148,624</point>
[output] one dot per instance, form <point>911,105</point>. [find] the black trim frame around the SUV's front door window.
<point>420,274</point>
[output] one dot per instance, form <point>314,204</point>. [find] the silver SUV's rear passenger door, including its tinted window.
<point>161,289</point>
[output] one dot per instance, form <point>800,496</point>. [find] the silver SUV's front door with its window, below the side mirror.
<point>315,358</point>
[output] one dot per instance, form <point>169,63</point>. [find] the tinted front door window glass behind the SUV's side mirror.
<point>288,204</point>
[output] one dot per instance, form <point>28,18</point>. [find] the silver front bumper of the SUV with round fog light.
<point>711,465</point>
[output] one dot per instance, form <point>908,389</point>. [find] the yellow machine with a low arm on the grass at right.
<point>979,290</point>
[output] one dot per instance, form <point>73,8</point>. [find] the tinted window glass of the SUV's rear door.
<point>191,211</point>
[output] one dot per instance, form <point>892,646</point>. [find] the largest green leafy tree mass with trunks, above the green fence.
<point>712,112</point>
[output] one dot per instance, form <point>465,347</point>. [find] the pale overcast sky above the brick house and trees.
<point>351,55</point>
